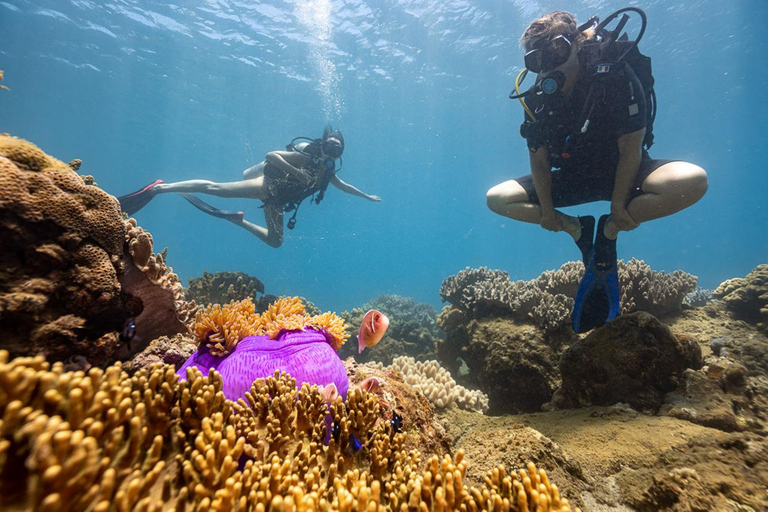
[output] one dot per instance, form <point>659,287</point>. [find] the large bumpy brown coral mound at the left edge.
<point>72,270</point>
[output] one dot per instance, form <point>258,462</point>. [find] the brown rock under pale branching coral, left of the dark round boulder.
<point>516,365</point>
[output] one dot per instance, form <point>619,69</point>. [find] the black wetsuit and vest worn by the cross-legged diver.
<point>589,173</point>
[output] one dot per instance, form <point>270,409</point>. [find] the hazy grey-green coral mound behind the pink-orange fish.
<point>413,330</point>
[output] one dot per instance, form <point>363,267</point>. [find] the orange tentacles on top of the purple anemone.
<point>221,328</point>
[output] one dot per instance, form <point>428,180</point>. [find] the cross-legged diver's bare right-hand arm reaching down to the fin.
<point>630,155</point>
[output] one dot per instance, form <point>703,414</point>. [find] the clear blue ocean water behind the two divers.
<point>204,89</point>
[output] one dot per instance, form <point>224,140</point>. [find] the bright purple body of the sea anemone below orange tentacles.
<point>306,355</point>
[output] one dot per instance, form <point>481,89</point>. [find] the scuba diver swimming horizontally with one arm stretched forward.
<point>282,182</point>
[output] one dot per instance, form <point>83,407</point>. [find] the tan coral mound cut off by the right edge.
<point>747,297</point>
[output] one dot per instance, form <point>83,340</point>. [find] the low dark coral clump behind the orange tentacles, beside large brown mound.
<point>223,287</point>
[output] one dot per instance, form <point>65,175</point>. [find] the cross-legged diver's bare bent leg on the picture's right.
<point>670,188</point>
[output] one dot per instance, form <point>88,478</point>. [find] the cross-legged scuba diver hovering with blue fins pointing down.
<point>588,124</point>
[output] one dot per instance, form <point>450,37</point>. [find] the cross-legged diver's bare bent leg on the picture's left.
<point>511,200</point>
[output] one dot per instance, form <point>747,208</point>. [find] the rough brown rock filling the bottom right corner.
<point>716,472</point>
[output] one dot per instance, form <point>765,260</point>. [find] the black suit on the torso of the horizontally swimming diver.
<point>285,190</point>
